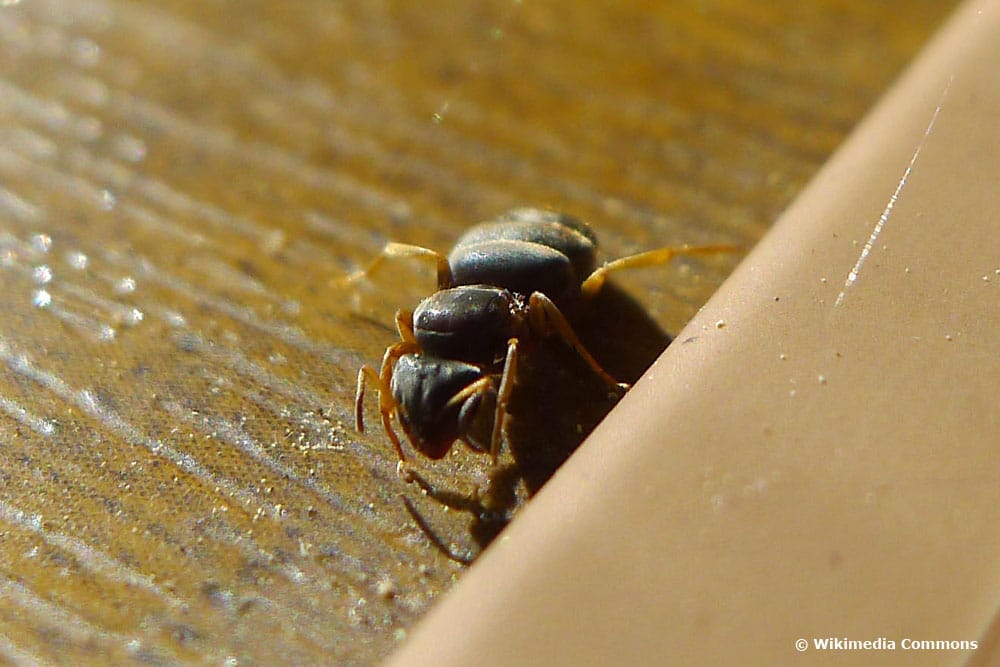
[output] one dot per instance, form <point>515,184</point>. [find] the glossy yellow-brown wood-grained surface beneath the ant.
<point>180,184</point>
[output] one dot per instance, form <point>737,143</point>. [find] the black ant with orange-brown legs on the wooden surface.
<point>505,281</point>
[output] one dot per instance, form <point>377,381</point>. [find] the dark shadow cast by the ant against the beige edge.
<point>556,403</point>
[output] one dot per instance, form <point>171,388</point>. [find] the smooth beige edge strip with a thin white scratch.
<point>818,455</point>
